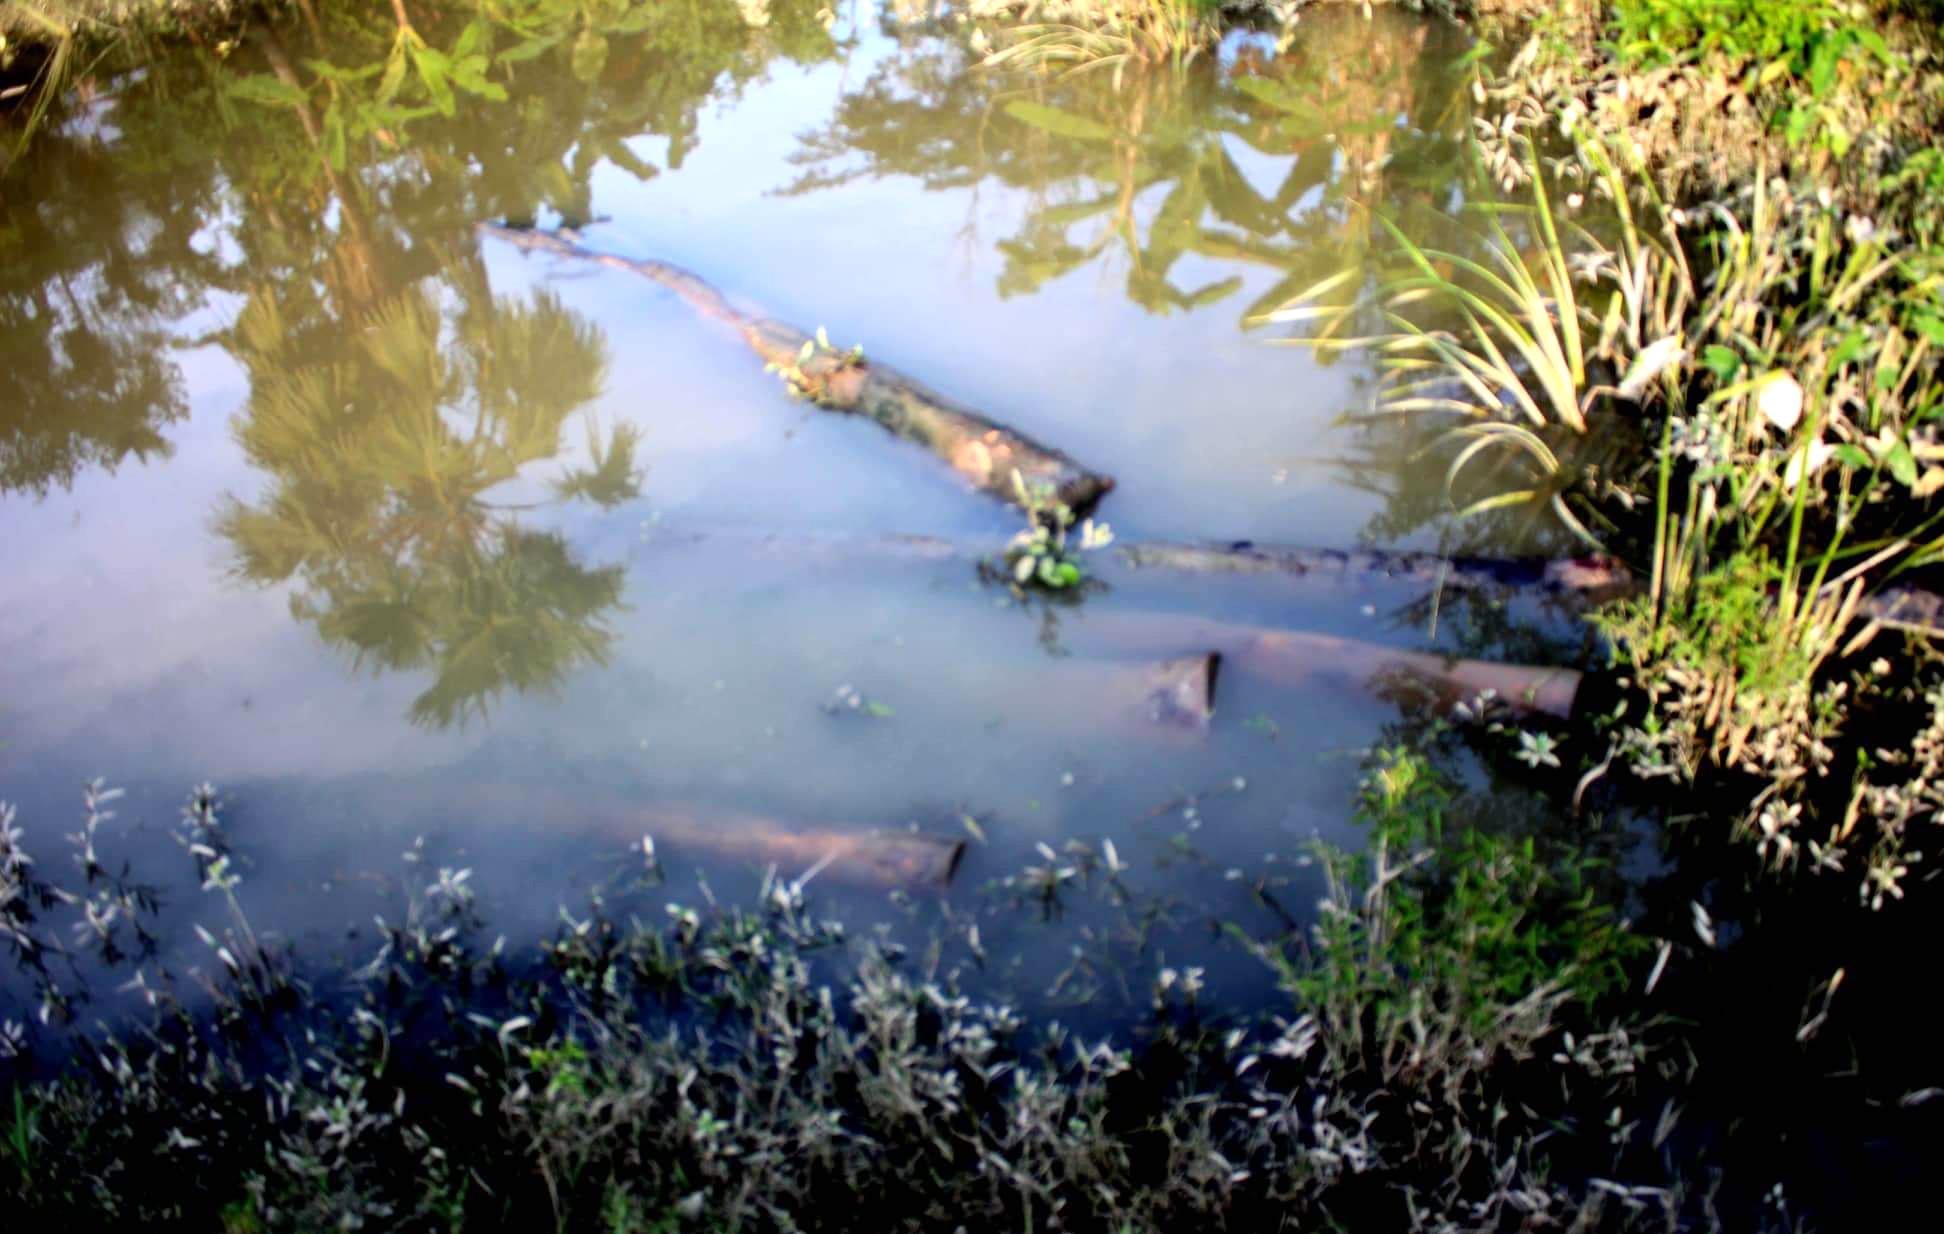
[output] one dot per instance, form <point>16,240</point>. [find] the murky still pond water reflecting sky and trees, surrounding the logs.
<point>392,531</point>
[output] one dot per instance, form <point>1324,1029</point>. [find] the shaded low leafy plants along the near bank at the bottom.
<point>1445,1062</point>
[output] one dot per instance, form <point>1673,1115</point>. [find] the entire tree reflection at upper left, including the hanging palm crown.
<point>328,174</point>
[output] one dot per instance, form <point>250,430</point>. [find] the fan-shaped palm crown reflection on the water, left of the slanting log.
<point>384,452</point>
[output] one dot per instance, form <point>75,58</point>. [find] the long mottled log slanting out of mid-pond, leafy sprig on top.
<point>981,450</point>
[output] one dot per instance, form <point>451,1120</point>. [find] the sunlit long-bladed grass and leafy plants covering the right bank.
<point>1764,329</point>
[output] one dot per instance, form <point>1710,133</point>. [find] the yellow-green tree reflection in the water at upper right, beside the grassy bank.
<point>1268,172</point>
